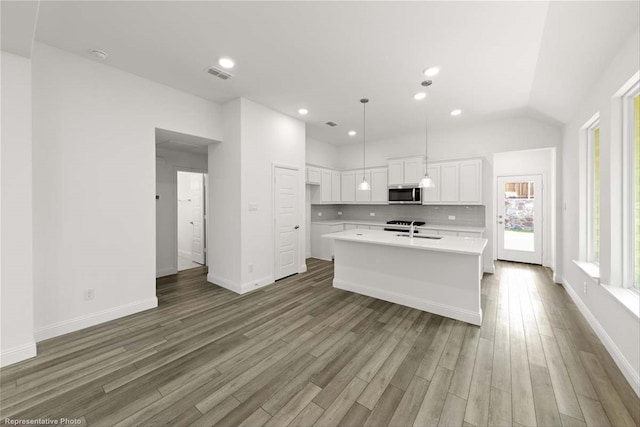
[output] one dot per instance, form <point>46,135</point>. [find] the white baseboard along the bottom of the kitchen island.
<point>420,304</point>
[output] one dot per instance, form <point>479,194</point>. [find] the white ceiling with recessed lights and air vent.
<point>496,58</point>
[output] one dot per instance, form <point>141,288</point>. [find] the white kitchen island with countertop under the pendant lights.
<point>441,276</point>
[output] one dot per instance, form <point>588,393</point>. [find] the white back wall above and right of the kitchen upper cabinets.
<point>478,140</point>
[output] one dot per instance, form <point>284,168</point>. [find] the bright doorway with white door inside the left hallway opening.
<point>191,228</point>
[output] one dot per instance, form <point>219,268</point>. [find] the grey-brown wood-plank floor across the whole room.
<point>302,353</point>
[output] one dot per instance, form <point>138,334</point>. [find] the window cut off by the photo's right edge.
<point>631,187</point>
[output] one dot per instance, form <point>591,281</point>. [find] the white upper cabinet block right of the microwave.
<point>457,182</point>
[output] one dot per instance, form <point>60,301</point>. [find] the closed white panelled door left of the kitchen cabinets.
<point>287,222</point>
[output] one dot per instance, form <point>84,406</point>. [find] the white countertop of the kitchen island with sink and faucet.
<point>461,245</point>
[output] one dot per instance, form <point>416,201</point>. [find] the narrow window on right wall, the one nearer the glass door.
<point>593,192</point>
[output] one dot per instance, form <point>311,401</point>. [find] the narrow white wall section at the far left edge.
<point>16,244</point>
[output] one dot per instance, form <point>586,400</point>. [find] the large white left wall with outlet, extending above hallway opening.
<point>94,186</point>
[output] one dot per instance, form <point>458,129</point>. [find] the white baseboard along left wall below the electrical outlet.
<point>92,319</point>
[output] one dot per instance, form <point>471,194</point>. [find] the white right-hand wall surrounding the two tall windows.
<point>618,328</point>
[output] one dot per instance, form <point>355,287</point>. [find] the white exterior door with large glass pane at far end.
<point>519,219</point>
